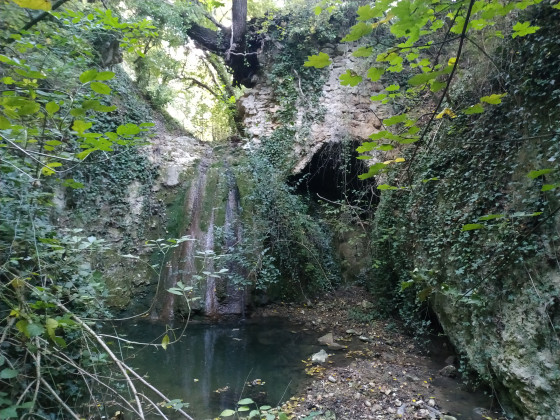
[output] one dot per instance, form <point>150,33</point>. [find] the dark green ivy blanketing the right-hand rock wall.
<point>467,240</point>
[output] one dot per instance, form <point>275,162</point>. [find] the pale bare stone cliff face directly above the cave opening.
<point>347,113</point>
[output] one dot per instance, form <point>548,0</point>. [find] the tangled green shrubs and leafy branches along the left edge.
<point>52,98</point>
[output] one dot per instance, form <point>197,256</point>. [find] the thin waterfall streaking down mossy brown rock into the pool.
<point>213,199</point>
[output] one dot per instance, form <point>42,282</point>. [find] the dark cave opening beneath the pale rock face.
<point>332,175</point>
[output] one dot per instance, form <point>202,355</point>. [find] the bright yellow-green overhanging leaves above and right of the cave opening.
<point>412,27</point>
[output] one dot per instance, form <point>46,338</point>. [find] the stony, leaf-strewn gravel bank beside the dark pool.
<point>370,370</point>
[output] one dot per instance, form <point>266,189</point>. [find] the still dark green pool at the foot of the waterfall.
<point>215,365</point>
